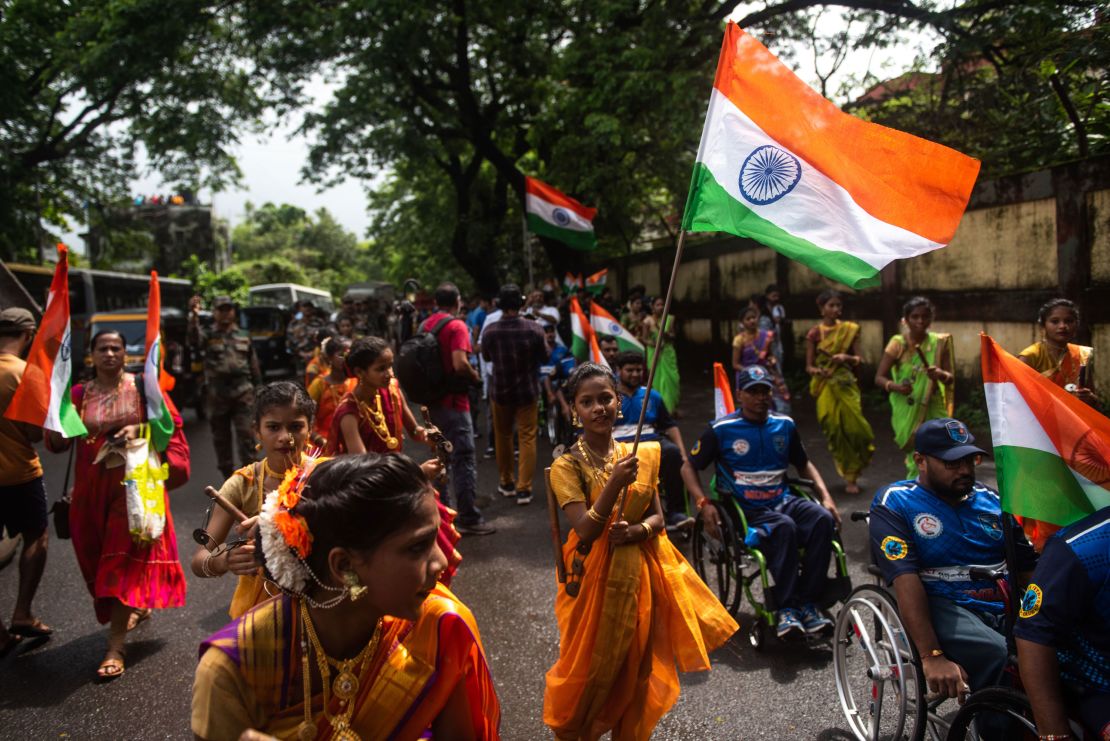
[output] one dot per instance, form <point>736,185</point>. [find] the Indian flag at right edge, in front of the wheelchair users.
<point>1053,451</point>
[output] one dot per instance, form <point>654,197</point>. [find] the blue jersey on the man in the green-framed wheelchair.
<point>751,458</point>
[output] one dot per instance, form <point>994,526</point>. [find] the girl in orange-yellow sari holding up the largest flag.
<point>633,610</point>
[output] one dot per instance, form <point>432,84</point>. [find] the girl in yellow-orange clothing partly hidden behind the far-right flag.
<point>1067,366</point>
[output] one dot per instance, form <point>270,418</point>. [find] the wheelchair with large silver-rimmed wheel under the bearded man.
<point>882,687</point>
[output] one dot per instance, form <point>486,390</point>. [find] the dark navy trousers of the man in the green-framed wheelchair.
<point>796,523</point>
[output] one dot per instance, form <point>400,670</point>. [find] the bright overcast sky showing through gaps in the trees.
<point>271,165</point>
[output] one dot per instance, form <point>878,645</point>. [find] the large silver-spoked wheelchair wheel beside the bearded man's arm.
<point>879,678</point>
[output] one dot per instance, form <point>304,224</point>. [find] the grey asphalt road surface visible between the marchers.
<point>508,580</point>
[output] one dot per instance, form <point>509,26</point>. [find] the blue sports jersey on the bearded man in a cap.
<point>914,531</point>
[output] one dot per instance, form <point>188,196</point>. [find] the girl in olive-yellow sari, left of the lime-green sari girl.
<point>832,354</point>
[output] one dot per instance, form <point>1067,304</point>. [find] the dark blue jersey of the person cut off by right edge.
<point>1067,606</point>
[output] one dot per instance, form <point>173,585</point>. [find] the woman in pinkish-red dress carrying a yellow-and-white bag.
<point>127,578</point>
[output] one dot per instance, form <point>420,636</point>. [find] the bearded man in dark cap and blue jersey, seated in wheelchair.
<point>926,535</point>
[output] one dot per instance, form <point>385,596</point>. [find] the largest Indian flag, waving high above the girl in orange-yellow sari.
<point>782,166</point>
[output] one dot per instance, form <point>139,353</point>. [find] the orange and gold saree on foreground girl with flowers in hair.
<point>250,676</point>
